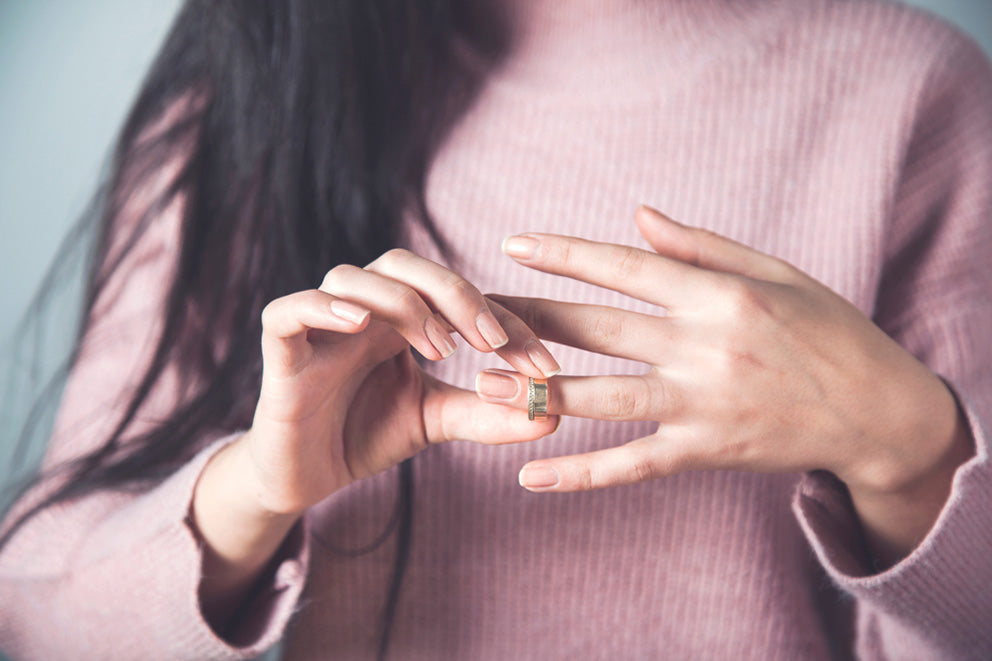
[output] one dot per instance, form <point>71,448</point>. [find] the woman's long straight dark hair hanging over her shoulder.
<point>302,130</point>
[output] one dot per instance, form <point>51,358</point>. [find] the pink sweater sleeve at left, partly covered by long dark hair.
<point>115,574</point>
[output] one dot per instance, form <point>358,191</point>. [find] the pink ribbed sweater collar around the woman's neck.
<point>576,47</point>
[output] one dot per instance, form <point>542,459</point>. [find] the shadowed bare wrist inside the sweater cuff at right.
<point>896,520</point>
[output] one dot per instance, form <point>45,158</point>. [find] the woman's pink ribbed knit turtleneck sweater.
<point>851,138</point>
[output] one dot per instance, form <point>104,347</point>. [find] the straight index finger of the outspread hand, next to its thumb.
<point>644,275</point>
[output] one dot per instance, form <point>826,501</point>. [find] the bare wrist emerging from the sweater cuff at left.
<point>239,537</point>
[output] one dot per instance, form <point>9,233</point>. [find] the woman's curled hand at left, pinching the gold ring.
<point>342,397</point>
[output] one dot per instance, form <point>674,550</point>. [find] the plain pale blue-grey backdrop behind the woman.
<point>68,71</point>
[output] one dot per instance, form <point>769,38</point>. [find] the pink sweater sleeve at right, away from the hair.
<point>935,299</point>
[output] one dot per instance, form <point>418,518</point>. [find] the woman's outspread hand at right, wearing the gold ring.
<point>756,366</point>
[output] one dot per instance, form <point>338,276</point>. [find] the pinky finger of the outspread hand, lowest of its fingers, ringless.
<point>638,461</point>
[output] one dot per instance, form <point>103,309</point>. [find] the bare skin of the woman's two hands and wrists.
<point>755,367</point>
